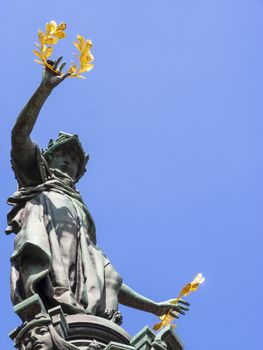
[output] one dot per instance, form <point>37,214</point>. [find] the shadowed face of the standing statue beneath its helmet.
<point>66,159</point>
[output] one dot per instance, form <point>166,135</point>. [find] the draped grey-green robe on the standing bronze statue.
<point>55,252</point>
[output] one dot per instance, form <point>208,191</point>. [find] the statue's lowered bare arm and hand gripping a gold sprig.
<point>129,297</point>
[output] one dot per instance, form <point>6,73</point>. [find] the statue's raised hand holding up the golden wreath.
<point>49,78</point>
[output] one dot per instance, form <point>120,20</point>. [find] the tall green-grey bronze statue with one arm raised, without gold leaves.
<point>55,252</point>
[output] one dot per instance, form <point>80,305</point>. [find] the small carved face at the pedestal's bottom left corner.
<point>38,338</point>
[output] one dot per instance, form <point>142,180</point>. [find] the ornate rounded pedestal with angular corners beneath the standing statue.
<point>85,332</point>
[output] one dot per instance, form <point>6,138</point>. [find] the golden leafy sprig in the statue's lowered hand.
<point>167,319</point>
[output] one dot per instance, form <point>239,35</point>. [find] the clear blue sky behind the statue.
<point>172,119</point>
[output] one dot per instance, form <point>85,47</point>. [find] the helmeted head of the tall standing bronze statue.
<point>67,155</point>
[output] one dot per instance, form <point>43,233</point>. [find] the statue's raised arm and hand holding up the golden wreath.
<point>21,141</point>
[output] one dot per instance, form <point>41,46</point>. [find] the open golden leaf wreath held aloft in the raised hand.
<point>55,32</point>
